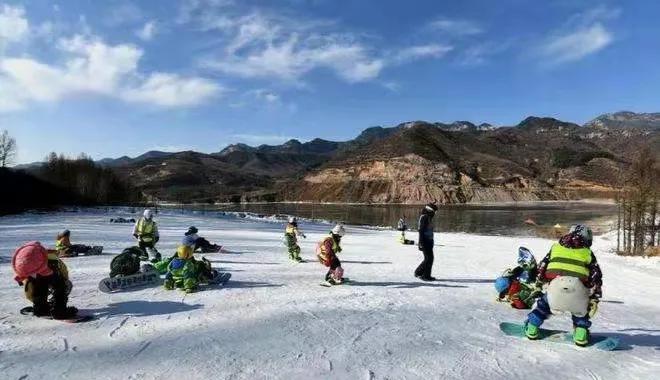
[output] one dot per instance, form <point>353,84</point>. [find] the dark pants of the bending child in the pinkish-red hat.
<point>37,290</point>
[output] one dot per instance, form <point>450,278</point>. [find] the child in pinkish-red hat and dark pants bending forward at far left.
<point>41,272</point>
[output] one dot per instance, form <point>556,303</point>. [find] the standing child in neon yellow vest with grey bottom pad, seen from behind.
<point>575,284</point>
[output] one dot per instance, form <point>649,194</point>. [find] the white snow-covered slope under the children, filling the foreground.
<point>273,320</point>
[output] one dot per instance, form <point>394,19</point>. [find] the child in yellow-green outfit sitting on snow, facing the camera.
<point>184,272</point>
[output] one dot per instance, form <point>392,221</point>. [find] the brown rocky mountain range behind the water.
<point>413,162</point>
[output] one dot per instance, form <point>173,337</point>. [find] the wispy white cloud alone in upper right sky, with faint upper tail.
<point>582,35</point>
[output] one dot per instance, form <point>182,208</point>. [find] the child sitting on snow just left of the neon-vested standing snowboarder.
<point>517,285</point>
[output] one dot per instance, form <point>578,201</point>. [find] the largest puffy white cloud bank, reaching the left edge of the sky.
<point>94,67</point>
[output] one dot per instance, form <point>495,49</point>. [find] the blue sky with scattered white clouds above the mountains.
<point>110,78</point>
